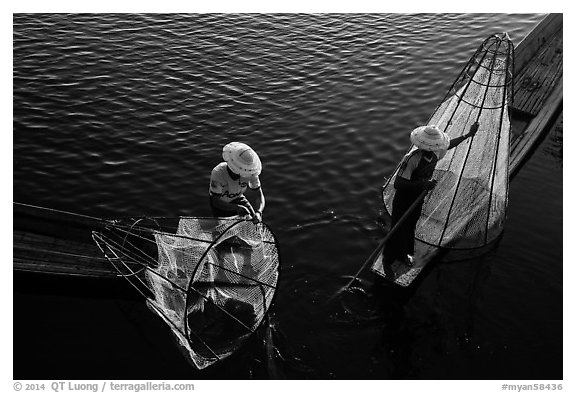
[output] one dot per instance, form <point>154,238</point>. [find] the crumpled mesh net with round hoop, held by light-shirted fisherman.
<point>211,280</point>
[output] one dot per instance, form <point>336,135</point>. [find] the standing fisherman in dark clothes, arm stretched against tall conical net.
<point>413,177</point>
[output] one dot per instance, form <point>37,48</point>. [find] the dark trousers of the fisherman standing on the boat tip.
<point>401,242</point>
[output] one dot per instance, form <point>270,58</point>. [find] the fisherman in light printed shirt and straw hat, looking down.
<point>229,180</point>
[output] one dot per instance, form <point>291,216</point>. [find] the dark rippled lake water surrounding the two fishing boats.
<point>118,115</point>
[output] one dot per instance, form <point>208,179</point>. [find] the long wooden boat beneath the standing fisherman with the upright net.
<point>537,93</point>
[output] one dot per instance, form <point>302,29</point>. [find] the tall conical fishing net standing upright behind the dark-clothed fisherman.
<point>467,208</point>
